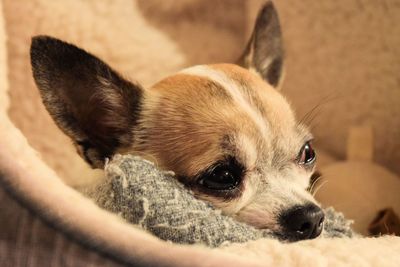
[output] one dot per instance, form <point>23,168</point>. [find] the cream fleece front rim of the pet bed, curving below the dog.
<point>32,182</point>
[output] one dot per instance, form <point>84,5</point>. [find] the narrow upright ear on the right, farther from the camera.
<point>264,51</point>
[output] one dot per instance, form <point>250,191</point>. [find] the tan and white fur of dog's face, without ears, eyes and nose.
<point>191,120</point>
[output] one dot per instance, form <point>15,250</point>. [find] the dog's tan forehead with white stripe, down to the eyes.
<point>204,104</point>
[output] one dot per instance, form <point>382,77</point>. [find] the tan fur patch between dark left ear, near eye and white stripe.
<point>189,139</point>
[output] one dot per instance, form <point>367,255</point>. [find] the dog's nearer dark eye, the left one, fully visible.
<point>222,176</point>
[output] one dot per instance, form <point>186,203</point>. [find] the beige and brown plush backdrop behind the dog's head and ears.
<point>343,55</point>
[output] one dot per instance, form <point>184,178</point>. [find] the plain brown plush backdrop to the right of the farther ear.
<point>344,56</point>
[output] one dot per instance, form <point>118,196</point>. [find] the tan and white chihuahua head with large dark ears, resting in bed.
<point>224,129</point>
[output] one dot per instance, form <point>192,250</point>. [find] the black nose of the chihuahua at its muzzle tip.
<point>302,222</point>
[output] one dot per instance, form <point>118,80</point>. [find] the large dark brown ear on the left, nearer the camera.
<point>87,99</point>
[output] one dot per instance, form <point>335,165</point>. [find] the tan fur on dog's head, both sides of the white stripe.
<point>200,113</point>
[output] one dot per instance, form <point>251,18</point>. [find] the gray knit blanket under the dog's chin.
<point>155,201</point>
